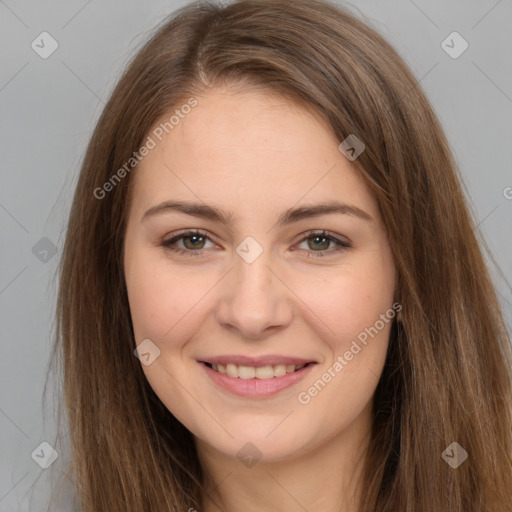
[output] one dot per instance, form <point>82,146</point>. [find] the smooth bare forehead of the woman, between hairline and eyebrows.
<point>248,150</point>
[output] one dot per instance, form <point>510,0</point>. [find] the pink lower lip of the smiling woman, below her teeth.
<point>256,388</point>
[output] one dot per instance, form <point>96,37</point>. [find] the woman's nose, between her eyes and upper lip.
<point>254,301</point>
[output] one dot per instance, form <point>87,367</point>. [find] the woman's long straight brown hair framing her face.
<point>447,377</point>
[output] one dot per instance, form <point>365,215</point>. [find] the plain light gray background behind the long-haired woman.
<point>49,108</point>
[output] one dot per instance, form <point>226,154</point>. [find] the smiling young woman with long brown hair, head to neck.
<point>271,295</point>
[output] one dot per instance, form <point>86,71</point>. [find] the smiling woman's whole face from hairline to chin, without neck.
<point>233,296</point>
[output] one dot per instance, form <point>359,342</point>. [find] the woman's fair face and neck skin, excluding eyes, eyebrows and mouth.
<point>256,155</point>
